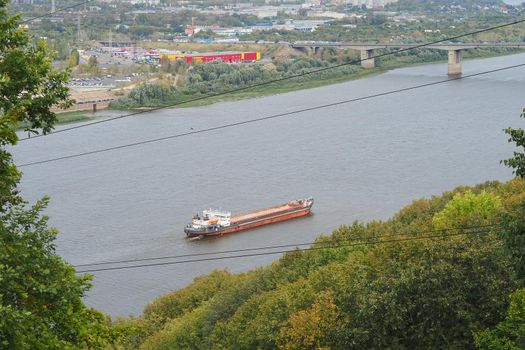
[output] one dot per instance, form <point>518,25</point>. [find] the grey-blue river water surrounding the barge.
<point>360,161</point>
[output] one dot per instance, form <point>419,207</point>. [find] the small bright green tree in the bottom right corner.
<point>510,333</point>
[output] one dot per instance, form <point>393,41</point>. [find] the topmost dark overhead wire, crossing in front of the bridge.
<point>253,86</point>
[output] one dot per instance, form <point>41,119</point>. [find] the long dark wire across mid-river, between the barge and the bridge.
<point>274,116</point>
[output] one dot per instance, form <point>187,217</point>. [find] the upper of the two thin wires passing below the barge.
<point>279,246</point>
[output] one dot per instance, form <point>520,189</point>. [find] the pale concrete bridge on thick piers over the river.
<point>368,58</point>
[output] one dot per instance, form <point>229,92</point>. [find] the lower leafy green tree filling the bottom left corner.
<point>40,296</point>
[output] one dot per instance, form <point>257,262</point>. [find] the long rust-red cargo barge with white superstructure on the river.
<point>218,223</point>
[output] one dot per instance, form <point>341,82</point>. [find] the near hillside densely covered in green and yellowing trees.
<point>379,285</point>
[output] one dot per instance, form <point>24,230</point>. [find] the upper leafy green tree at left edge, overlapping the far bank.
<point>28,88</point>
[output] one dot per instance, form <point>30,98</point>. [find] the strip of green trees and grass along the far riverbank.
<point>186,83</point>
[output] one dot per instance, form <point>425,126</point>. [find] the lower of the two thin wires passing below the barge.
<point>283,251</point>
